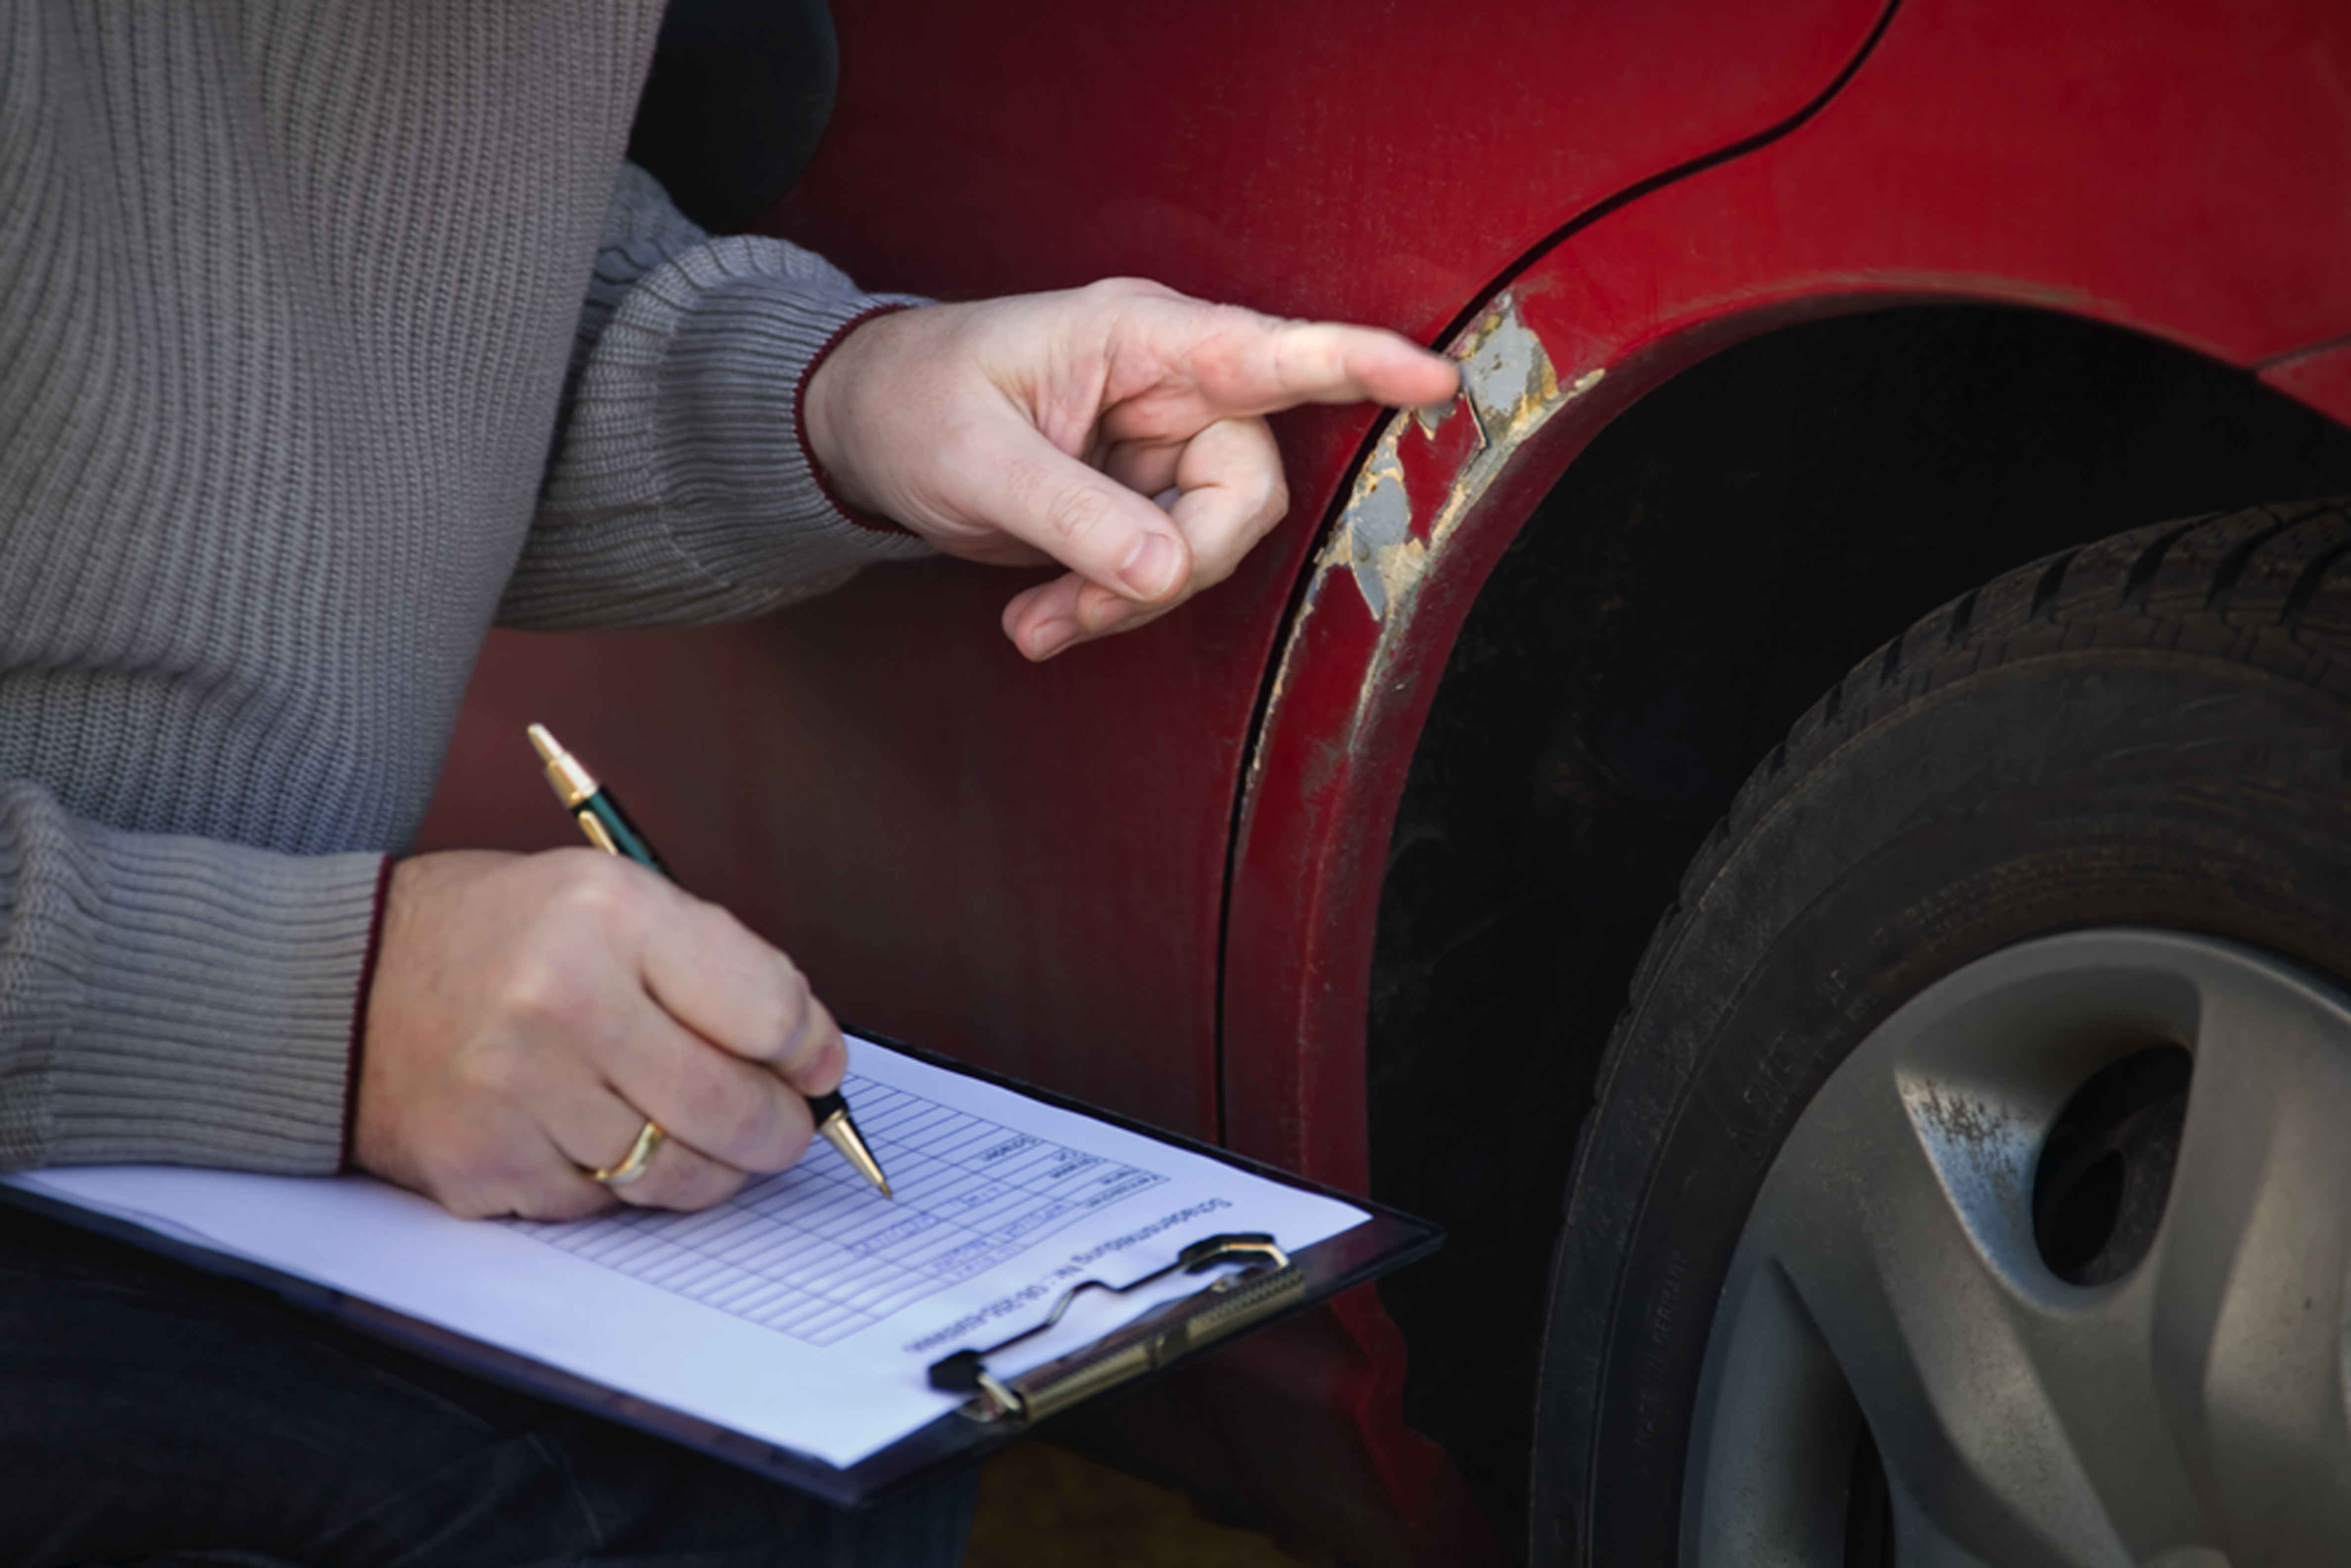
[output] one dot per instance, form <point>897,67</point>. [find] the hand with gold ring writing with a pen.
<point>533,1012</point>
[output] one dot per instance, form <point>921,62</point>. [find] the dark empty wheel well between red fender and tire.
<point>1635,657</point>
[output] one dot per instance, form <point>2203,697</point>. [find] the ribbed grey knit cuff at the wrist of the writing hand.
<point>215,1019</point>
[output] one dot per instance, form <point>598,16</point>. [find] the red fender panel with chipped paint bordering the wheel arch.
<point>1990,156</point>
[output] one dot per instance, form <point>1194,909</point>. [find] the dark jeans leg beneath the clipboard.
<point>154,1414</point>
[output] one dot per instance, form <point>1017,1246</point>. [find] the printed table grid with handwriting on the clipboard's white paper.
<point>817,1254</point>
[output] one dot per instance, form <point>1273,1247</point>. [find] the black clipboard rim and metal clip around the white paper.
<point>1273,1287</point>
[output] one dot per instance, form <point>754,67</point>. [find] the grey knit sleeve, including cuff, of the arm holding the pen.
<point>170,1000</point>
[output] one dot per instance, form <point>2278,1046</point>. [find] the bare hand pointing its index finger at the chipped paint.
<point>1043,427</point>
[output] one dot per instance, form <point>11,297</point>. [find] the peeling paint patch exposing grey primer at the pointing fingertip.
<point>1513,391</point>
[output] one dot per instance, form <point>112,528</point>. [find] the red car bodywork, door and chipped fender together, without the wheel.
<point>1148,873</point>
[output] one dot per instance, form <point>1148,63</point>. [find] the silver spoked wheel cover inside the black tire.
<point>2188,1400</point>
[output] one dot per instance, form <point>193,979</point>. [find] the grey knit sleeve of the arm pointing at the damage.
<point>681,485</point>
